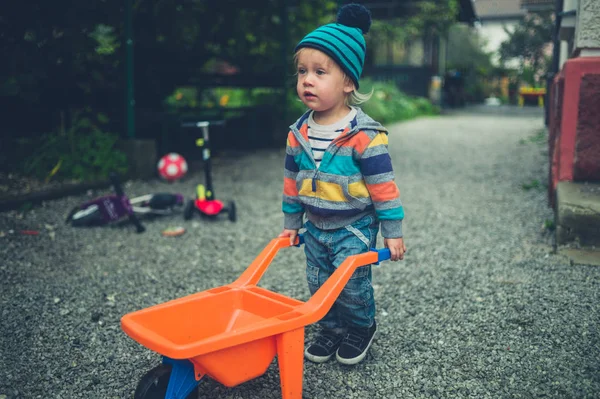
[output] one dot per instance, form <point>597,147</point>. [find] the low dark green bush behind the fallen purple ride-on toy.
<point>81,152</point>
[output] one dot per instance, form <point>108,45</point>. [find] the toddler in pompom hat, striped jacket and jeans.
<point>338,173</point>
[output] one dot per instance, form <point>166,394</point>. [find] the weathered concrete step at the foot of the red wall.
<point>578,214</point>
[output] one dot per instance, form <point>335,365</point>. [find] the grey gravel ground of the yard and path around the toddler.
<point>481,307</point>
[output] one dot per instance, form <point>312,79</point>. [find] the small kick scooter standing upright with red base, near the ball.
<point>205,202</point>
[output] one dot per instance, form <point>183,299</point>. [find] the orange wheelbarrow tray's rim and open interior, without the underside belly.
<point>211,320</point>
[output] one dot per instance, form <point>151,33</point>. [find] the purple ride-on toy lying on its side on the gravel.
<point>118,206</point>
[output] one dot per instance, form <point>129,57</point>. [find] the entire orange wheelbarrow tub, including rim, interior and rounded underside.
<point>228,333</point>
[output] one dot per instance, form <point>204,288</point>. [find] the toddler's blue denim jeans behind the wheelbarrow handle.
<point>325,251</point>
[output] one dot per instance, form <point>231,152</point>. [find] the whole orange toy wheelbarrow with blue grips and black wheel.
<point>232,333</point>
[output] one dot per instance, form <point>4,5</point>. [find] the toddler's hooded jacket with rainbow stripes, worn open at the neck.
<point>354,179</point>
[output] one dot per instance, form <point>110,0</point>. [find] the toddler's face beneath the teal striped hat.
<point>321,84</point>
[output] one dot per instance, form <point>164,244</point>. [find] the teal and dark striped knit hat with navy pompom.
<point>343,40</point>
